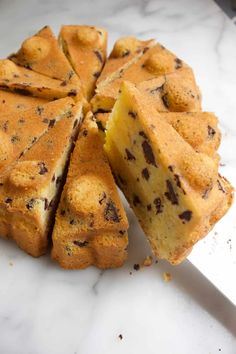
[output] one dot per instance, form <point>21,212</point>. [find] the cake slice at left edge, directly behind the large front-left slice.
<point>19,131</point>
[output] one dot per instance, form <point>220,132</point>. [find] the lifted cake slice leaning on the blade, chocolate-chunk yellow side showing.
<point>176,192</point>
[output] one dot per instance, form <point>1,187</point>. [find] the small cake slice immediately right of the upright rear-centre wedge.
<point>126,51</point>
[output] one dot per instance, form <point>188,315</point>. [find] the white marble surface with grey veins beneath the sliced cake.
<point>44,309</point>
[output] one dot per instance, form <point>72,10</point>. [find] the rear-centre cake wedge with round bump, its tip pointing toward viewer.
<point>85,47</point>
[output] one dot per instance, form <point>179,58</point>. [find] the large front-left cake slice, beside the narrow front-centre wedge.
<point>29,190</point>
